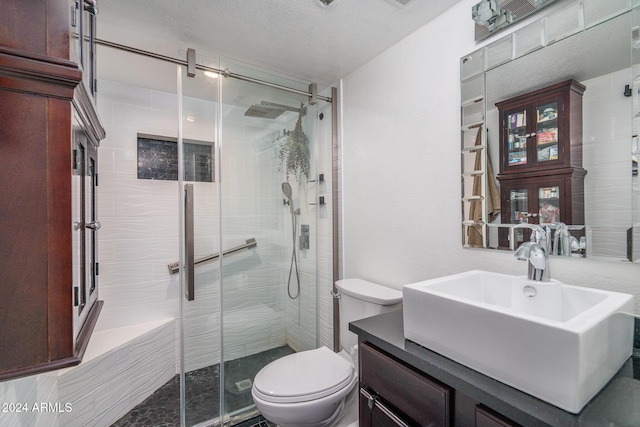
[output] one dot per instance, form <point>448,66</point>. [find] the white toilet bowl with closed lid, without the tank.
<point>305,389</point>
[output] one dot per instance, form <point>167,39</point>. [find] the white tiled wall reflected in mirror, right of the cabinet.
<point>606,135</point>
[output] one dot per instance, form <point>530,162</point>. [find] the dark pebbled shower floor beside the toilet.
<point>162,408</point>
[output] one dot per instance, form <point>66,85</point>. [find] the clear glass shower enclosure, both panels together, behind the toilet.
<point>253,297</point>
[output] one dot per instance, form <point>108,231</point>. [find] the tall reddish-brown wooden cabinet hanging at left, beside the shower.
<point>49,135</point>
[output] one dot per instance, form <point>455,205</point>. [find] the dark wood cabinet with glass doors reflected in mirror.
<point>541,175</point>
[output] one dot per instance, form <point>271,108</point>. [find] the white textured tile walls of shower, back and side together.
<point>140,234</point>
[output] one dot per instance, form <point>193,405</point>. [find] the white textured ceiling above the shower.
<point>300,38</point>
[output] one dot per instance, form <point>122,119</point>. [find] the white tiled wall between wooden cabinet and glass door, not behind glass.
<point>139,234</point>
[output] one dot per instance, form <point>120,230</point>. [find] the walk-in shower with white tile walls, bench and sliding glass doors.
<point>216,172</point>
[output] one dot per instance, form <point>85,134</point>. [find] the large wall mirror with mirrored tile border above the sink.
<point>596,45</point>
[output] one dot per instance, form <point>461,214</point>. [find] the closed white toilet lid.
<point>303,376</point>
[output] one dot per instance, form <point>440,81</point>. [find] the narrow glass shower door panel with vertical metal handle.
<point>200,305</point>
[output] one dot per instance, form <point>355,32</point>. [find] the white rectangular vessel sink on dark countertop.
<point>561,345</point>
